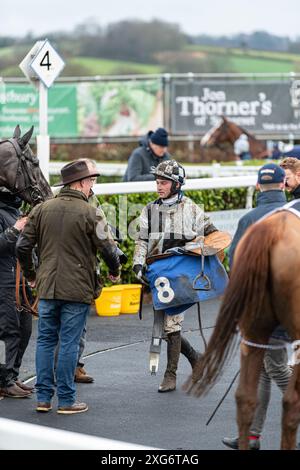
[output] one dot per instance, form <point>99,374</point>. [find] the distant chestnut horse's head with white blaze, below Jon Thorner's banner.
<point>224,131</point>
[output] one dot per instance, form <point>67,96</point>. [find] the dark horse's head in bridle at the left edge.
<point>21,171</point>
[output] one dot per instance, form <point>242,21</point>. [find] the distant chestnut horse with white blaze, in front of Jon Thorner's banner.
<point>228,132</point>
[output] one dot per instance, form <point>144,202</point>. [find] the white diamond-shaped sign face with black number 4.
<point>47,64</point>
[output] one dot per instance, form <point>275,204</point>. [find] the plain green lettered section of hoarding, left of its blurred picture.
<point>19,104</point>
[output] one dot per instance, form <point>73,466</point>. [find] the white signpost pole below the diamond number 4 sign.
<point>43,140</point>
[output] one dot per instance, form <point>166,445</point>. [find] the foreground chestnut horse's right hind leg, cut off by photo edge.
<point>291,411</point>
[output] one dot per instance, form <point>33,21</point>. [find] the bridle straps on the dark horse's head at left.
<point>23,168</point>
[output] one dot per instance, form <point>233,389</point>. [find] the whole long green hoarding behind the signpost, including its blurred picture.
<point>88,109</point>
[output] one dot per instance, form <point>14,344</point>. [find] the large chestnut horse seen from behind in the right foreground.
<point>263,291</point>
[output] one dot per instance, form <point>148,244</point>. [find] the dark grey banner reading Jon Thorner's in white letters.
<point>262,107</point>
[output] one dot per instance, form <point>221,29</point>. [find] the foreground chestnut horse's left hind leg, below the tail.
<point>246,393</point>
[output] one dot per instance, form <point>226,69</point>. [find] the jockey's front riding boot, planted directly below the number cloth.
<point>173,353</point>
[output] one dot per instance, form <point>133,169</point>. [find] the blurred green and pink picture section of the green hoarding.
<point>119,108</point>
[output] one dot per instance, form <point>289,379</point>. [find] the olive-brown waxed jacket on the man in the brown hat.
<point>68,232</point>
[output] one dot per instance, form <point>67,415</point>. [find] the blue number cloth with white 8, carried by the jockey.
<point>171,281</point>
